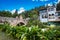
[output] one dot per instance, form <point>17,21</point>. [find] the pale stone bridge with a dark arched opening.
<point>14,21</point>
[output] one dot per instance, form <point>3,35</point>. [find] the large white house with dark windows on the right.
<point>49,14</point>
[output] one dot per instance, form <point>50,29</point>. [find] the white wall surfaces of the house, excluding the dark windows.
<point>48,12</point>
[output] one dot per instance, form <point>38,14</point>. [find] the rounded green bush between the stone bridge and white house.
<point>36,22</point>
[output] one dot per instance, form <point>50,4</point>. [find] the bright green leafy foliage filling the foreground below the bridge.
<point>31,33</point>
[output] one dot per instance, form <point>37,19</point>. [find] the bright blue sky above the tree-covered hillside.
<point>26,4</point>
